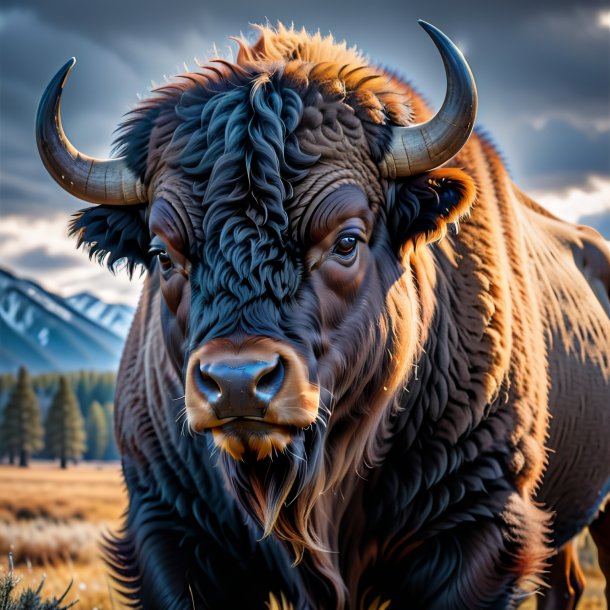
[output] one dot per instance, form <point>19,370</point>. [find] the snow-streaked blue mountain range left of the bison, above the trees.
<point>46,332</point>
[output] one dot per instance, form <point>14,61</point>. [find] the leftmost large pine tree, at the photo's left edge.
<point>22,432</point>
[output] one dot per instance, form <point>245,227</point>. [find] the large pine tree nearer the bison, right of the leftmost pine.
<point>65,426</point>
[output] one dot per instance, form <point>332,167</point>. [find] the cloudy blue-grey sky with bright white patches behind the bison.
<point>542,69</point>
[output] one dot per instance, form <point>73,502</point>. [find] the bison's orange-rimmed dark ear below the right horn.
<point>423,206</point>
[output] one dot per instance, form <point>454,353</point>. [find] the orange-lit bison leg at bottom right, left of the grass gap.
<point>565,580</point>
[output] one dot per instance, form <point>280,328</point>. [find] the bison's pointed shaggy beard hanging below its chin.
<point>279,493</point>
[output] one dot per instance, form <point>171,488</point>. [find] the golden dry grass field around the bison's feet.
<point>52,521</point>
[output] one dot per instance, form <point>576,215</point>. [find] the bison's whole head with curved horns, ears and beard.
<point>280,204</point>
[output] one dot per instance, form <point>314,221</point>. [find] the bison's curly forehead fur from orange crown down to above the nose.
<point>231,131</point>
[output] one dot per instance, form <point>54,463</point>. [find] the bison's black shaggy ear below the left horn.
<point>113,235</point>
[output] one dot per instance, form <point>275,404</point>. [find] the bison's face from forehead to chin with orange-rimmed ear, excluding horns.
<point>279,311</point>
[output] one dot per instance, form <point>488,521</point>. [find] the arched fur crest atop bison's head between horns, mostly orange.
<point>280,54</point>
